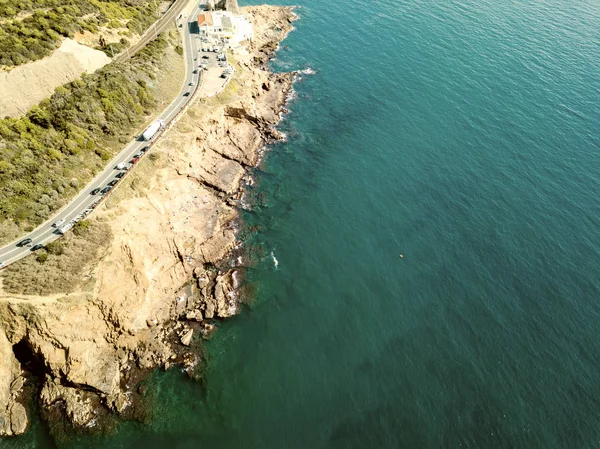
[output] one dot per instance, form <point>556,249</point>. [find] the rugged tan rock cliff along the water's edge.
<point>162,281</point>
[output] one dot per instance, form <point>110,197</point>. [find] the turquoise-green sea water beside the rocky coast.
<point>463,134</point>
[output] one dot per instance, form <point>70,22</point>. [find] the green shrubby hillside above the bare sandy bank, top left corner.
<point>31,29</point>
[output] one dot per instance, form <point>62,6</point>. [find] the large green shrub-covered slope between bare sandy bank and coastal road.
<point>47,155</point>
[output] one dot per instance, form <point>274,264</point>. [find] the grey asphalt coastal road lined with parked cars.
<point>46,232</point>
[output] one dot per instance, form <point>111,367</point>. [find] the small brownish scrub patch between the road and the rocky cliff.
<point>61,267</point>
